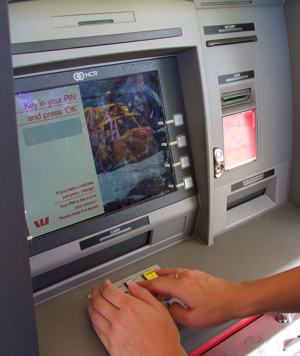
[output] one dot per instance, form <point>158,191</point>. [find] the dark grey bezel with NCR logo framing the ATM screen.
<point>173,103</point>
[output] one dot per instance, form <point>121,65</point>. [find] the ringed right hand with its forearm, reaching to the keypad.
<point>211,301</point>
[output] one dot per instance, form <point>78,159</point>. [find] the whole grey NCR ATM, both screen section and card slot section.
<point>141,124</point>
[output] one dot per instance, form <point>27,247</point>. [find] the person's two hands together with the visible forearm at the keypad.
<point>138,323</point>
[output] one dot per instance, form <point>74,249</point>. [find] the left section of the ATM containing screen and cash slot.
<point>105,153</point>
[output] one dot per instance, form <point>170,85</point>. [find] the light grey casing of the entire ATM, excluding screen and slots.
<point>44,38</point>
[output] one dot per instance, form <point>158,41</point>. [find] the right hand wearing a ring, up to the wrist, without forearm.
<point>209,301</point>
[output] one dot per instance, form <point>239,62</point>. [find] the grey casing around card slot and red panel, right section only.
<point>263,50</point>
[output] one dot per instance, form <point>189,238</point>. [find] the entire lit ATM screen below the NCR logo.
<point>92,148</point>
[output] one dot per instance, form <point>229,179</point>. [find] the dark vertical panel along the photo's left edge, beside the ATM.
<point>17,324</point>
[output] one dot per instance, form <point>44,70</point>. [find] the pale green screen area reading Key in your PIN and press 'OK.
<point>60,182</point>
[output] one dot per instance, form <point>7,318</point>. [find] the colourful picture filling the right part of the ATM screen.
<point>123,117</point>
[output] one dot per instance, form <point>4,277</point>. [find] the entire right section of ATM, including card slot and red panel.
<point>246,59</point>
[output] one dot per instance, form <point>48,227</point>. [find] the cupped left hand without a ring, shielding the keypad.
<point>133,324</point>
